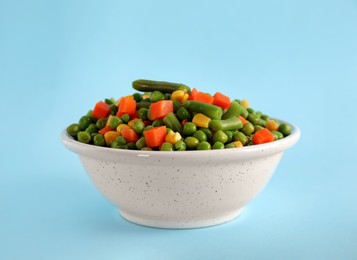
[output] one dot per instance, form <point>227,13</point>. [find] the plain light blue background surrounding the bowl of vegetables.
<point>296,60</point>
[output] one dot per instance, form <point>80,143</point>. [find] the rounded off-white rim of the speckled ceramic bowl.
<point>98,152</point>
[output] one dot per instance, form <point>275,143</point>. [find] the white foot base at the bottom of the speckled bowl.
<point>179,223</point>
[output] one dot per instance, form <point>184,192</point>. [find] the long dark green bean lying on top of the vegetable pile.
<point>165,87</point>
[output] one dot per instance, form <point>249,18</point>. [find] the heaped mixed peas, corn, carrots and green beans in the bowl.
<point>168,116</point>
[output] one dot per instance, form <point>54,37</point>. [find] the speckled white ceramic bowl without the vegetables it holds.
<point>187,189</point>
